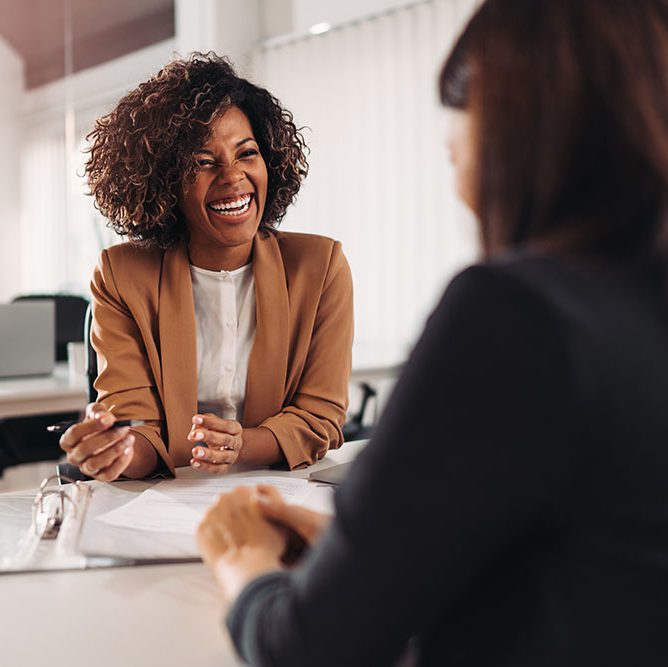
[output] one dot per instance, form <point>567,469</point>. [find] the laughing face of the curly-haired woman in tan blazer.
<point>225,203</point>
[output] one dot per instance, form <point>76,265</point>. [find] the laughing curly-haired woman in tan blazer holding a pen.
<point>230,340</point>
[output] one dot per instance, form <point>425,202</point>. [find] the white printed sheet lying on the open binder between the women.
<point>177,506</point>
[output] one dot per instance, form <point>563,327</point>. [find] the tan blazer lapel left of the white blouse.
<point>178,340</point>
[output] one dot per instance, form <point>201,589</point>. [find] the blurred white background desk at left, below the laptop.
<point>41,395</point>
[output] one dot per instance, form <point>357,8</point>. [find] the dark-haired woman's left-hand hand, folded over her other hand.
<point>237,543</point>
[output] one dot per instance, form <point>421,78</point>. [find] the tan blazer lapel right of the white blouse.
<point>268,364</point>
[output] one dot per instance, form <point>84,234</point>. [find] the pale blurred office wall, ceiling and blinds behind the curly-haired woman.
<point>359,75</point>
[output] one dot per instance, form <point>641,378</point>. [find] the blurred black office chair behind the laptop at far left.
<point>25,439</point>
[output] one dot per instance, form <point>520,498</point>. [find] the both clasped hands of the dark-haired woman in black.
<point>250,532</point>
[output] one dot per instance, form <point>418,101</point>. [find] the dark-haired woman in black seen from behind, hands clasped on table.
<point>529,525</point>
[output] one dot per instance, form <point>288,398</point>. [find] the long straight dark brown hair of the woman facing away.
<point>570,108</point>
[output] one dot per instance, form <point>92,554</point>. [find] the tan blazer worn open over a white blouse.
<point>144,335</point>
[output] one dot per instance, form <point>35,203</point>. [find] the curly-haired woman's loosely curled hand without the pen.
<point>224,440</point>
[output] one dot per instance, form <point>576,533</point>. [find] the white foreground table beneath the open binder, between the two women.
<point>167,615</point>
